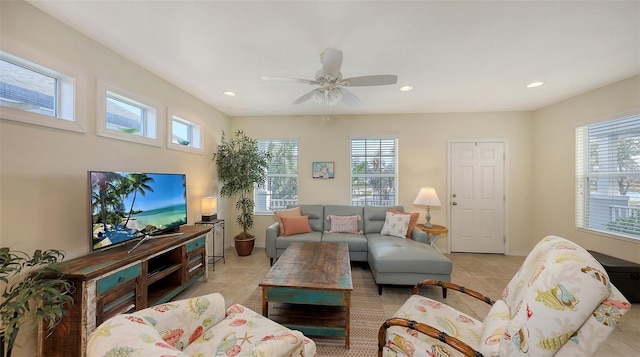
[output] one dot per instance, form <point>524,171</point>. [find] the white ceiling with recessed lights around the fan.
<point>461,56</point>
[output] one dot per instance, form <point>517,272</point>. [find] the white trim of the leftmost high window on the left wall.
<point>75,115</point>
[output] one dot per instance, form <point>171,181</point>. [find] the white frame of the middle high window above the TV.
<point>151,107</point>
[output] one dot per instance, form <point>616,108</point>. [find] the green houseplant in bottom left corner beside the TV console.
<point>33,291</point>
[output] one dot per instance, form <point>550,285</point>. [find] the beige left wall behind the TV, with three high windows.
<point>44,190</point>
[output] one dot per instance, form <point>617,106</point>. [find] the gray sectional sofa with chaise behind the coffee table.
<point>392,260</point>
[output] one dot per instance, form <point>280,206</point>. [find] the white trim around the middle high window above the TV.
<point>101,116</point>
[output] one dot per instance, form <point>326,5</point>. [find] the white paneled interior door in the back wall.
<point>477,199</point>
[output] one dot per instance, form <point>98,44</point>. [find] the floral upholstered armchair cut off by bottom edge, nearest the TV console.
<point>200,327</point>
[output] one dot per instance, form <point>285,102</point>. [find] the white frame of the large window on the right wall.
<point>584,176</point>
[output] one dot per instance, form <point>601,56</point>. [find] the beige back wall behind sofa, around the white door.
<point>422,144</point>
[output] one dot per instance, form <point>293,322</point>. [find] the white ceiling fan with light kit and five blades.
<point>331,84</point>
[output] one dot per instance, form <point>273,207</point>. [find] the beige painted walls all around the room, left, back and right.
<point>43,171</point>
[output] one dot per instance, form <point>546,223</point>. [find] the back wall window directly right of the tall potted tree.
<point>281,188</point>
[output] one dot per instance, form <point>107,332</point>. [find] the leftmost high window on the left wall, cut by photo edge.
<point>37,94</point>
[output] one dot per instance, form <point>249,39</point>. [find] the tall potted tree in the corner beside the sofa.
<point>241,166</point>
